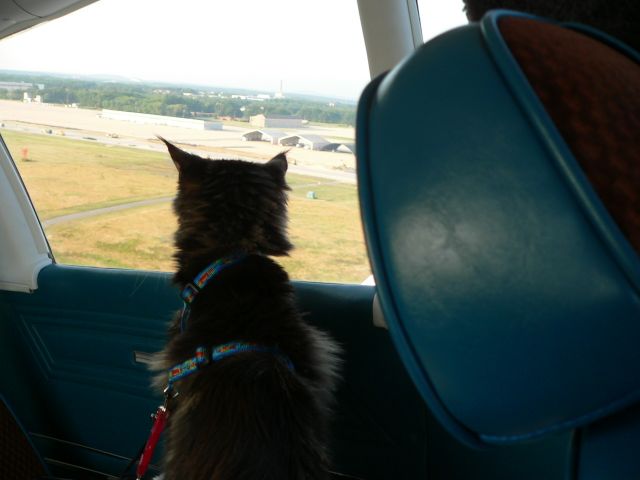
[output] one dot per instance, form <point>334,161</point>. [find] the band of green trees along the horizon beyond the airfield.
<point>172,101</point>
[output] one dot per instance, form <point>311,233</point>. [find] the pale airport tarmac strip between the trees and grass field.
<point>87,125</point>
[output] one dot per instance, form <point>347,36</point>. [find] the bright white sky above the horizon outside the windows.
<point>313,48</point>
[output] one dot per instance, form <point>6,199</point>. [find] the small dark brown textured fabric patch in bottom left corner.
<point>17,458</point>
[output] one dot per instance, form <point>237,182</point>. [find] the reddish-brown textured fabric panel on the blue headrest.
<point>592,93</point>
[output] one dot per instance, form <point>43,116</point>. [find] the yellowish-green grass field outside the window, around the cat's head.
<point>68,176</point>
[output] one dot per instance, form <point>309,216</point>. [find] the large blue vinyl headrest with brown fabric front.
<point>510,289</point>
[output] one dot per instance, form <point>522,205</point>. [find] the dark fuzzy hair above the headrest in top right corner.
<point>618,18</point>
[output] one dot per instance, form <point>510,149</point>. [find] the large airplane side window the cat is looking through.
<point>82,98</point>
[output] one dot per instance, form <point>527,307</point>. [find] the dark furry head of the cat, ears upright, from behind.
<point>229,205</point>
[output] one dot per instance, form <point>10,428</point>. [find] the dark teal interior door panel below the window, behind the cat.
<point>86,400</point>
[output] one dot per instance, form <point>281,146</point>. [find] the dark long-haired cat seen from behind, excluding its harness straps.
<point>247,416</point>
